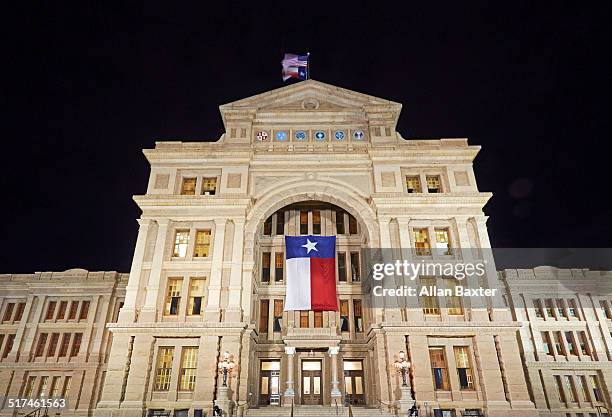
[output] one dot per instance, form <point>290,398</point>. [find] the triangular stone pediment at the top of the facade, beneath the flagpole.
<point>310,96</point>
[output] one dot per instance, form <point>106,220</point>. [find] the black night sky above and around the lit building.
<point>85,88</point>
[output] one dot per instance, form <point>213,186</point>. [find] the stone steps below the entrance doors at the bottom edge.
<point>316,411</point>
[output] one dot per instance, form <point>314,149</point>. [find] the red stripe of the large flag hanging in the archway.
<point>323,284</point>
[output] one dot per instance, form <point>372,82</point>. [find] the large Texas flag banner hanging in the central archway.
<point>311,273</point>
